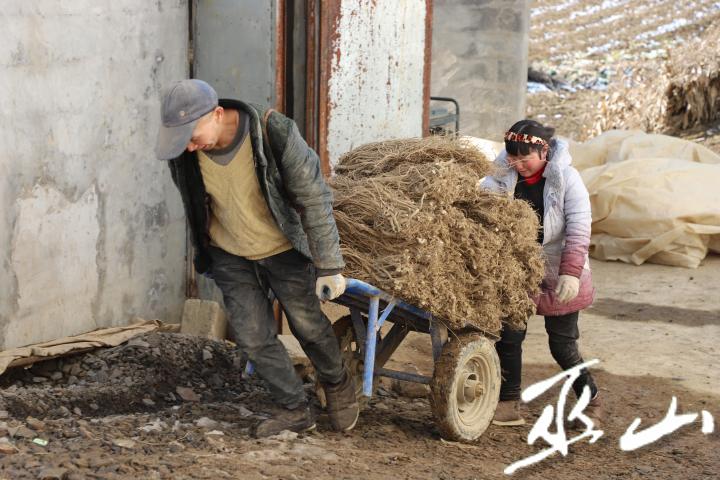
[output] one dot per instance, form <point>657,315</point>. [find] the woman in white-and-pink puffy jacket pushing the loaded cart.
<point>536,167</point>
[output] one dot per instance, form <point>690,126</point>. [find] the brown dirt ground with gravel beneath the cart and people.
<point>117,412</point>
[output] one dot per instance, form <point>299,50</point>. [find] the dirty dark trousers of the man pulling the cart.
<point>244,284</point>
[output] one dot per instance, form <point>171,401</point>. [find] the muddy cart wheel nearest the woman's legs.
<point>465,387</point>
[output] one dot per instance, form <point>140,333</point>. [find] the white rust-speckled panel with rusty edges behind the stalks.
<point>377,73</point>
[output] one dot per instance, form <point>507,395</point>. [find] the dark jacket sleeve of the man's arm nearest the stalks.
<point>306,188</point>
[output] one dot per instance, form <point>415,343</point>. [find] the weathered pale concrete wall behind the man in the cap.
<point>91,228</point>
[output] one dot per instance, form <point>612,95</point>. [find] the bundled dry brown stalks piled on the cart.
<point>414,222</point>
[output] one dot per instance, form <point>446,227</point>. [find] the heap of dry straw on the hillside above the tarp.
<point>669,97</point>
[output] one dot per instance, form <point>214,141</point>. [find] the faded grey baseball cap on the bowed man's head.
<point>183,104</point>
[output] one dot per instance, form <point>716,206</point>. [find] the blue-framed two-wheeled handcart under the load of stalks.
<point>465,385</point>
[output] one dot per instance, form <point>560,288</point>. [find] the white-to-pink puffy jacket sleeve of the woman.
<point>578,221</point>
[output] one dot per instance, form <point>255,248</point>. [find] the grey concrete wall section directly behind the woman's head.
<point>479,51</point>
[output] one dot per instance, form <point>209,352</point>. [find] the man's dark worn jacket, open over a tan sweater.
<point>291,182</point>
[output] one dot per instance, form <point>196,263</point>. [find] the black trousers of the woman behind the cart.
<point>563,334</point>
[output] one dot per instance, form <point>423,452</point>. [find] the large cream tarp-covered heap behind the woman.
<point>654,198</point>
